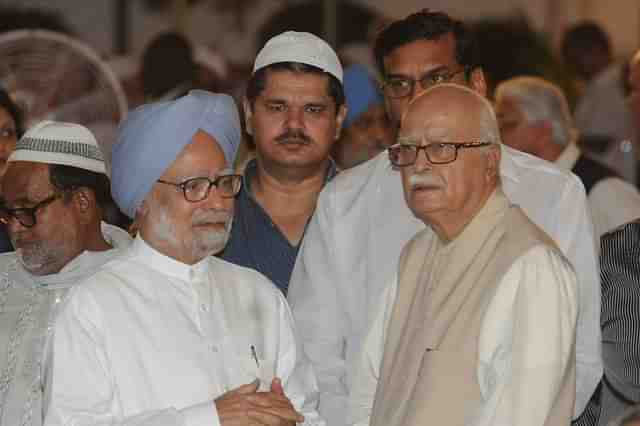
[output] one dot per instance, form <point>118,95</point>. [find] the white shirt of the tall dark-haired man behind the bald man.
<point>350,254</point>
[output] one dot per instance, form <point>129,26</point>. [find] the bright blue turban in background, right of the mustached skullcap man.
<point>360,90</point>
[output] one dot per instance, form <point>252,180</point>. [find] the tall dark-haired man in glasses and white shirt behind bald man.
<point>338,278</point>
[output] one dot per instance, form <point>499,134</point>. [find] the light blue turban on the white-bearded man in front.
<point>153,135</point>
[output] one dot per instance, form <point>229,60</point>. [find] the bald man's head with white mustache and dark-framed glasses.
<point>448,150</point>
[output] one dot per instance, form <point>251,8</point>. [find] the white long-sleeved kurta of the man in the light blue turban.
<point>152,341</point>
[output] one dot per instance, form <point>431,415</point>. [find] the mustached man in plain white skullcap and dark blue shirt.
<point>294,108</point>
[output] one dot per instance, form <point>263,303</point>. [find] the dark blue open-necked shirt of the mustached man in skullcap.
<point>255,241</point>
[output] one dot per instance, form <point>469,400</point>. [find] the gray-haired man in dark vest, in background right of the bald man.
<point>534,117</point>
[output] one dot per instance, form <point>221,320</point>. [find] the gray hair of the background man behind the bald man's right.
<point>540,101</point>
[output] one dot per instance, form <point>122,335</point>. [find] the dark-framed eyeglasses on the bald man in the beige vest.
<point>402,155</point>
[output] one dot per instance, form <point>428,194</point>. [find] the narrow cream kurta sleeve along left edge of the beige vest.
<point>369,361</point>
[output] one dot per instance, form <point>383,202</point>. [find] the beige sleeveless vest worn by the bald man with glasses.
<point>429,368</point>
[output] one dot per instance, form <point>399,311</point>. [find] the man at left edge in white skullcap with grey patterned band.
<point>52,192</point>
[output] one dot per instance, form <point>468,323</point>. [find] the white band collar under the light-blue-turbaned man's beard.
<point>149,256</point>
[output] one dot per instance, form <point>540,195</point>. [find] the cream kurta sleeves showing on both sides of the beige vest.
<point>522,353</point>
